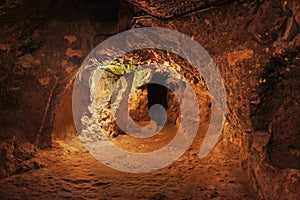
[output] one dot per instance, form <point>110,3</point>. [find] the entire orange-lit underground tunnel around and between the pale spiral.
<point>44,44</point>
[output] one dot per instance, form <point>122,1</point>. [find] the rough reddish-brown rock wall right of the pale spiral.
<point>261,73</point>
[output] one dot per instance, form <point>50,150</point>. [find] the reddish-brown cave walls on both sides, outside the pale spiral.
<point>254,43</point>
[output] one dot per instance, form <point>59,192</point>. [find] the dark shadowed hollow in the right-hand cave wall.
<point>280,93</point>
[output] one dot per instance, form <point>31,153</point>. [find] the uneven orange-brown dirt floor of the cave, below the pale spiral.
<point>68,171</point>
